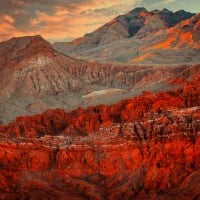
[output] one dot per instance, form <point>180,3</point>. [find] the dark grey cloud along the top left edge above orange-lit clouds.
<point>25,10</point>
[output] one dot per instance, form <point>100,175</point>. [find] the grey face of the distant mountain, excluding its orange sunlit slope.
<point>127,36</point>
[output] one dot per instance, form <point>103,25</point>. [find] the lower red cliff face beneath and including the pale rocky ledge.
<point>97,168</point>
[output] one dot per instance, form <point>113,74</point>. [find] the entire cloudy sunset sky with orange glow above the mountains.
<point>63,20</point>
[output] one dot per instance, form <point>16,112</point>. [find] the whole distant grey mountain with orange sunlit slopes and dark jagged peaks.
<point>132,38</point>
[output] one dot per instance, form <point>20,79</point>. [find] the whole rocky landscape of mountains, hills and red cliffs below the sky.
<point>121,120</point>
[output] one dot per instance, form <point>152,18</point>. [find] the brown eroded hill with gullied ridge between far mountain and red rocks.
<point>34,77</point>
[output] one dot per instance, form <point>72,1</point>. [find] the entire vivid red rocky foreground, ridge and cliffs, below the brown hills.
<point>141,148</point>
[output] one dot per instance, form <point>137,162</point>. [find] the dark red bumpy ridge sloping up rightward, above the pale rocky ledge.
<point>84,121</point>
